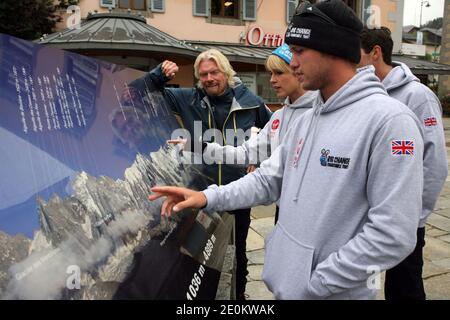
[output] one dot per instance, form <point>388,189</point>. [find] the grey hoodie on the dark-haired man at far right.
<point>402,85</point>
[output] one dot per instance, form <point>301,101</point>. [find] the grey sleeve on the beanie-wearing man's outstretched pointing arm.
<point>261,187</point>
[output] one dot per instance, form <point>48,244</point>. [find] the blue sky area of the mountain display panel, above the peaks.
<point>61,114</point>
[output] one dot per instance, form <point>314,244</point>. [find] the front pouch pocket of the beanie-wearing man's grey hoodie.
<point>288,265</point>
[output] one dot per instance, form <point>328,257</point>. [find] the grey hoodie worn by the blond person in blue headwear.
<point>259,147</point>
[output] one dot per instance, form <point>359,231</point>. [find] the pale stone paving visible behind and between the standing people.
<point>436,254</point>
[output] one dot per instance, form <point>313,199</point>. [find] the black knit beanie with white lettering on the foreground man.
<point>330,27</point>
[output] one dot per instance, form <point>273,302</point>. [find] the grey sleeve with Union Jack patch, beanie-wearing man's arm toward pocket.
<point>394,193</point>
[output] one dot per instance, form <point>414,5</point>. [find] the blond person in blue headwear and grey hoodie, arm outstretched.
<point>259,147</point>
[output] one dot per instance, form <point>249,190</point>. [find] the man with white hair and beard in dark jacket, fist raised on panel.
<point>220,101</point>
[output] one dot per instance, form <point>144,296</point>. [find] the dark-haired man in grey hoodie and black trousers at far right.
<point>404,281</point>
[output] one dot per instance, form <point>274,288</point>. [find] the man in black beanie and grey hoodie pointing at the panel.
<point>348,172</point>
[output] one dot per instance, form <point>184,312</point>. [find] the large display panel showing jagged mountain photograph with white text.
<point>79,151</point>
